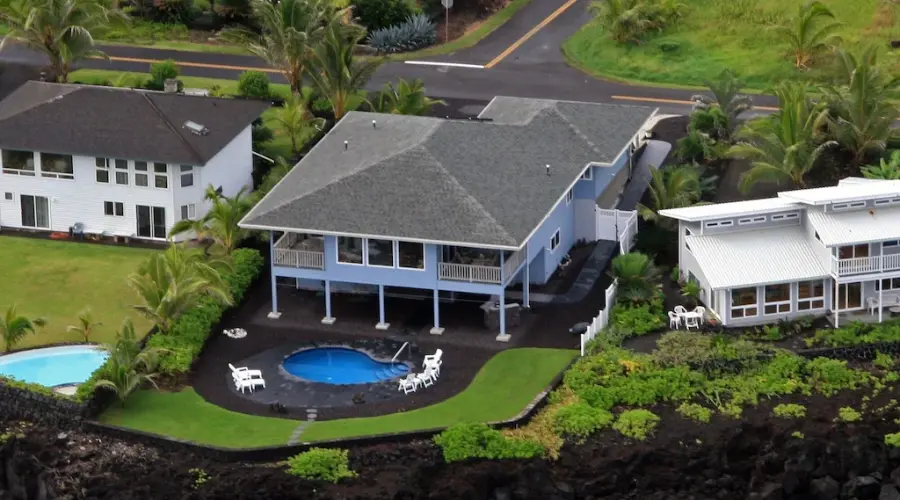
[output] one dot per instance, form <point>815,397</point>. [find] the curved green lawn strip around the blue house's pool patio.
<point>508,382</point>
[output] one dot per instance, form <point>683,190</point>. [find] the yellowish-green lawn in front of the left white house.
<point>56,279</point>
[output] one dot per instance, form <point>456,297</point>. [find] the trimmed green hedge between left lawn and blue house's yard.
<point>183,344</point>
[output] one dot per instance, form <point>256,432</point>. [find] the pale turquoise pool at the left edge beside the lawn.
<point>54,365</point>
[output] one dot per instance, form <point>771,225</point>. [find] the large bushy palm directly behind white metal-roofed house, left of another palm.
<point>783,147</point>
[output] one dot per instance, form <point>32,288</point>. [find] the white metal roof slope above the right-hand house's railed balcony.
<point>856,226</point>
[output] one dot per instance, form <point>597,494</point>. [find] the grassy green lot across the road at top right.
<point>714,35</point>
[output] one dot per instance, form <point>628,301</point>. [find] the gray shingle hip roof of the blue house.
<point>468,182</point>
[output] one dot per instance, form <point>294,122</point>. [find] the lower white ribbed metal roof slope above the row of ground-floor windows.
<point>751,258</point>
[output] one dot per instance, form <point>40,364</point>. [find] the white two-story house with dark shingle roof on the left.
<point>120,162</point>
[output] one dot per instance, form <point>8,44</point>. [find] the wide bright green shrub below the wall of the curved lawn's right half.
<point>475,440</point>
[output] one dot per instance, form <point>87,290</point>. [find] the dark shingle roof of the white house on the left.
<point>121,123</point>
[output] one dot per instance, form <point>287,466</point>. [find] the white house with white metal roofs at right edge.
<point>824,251</point>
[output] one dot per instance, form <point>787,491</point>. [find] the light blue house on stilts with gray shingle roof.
<point>447,205</point>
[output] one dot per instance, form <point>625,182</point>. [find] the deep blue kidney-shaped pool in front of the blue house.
<point>336,365</point>
